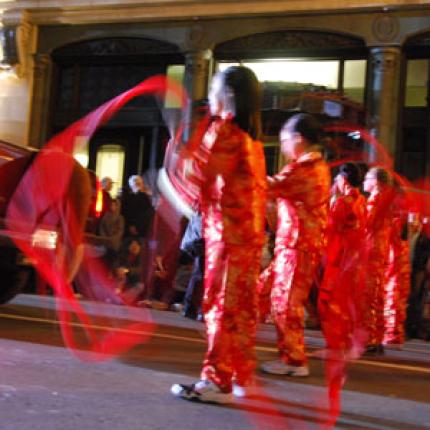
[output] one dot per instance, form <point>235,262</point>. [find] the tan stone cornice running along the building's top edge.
<point>52,12</point>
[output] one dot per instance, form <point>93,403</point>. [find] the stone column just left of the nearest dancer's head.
<point>196,83</point>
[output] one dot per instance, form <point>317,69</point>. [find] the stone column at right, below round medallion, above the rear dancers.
<point>383,96</point>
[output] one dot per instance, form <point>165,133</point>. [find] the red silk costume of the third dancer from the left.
<point>343,283</point>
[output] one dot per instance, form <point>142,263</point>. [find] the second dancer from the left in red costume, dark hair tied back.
<point>302,191</point>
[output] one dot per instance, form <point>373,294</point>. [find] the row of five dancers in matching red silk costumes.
<point>318,223</point>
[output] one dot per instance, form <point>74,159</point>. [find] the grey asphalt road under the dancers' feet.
<point>45,386</point>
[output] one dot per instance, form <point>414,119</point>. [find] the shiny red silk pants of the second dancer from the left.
<point>294,273</point>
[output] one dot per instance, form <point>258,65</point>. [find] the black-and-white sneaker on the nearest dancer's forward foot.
<point>203,391</point>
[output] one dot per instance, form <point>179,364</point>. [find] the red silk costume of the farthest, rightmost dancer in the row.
<point>397,286</point>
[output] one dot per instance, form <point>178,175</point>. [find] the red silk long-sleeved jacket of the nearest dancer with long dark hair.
<point>230,169</point>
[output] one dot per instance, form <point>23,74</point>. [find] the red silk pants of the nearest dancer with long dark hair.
<point>230,312</point>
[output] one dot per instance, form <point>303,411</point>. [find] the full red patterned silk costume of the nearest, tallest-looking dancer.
<point>230,169</point>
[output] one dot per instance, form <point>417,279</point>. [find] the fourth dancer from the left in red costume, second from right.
<point>377,182</point>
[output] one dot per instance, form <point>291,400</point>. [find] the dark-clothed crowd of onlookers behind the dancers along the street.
<point>176,279</point>
